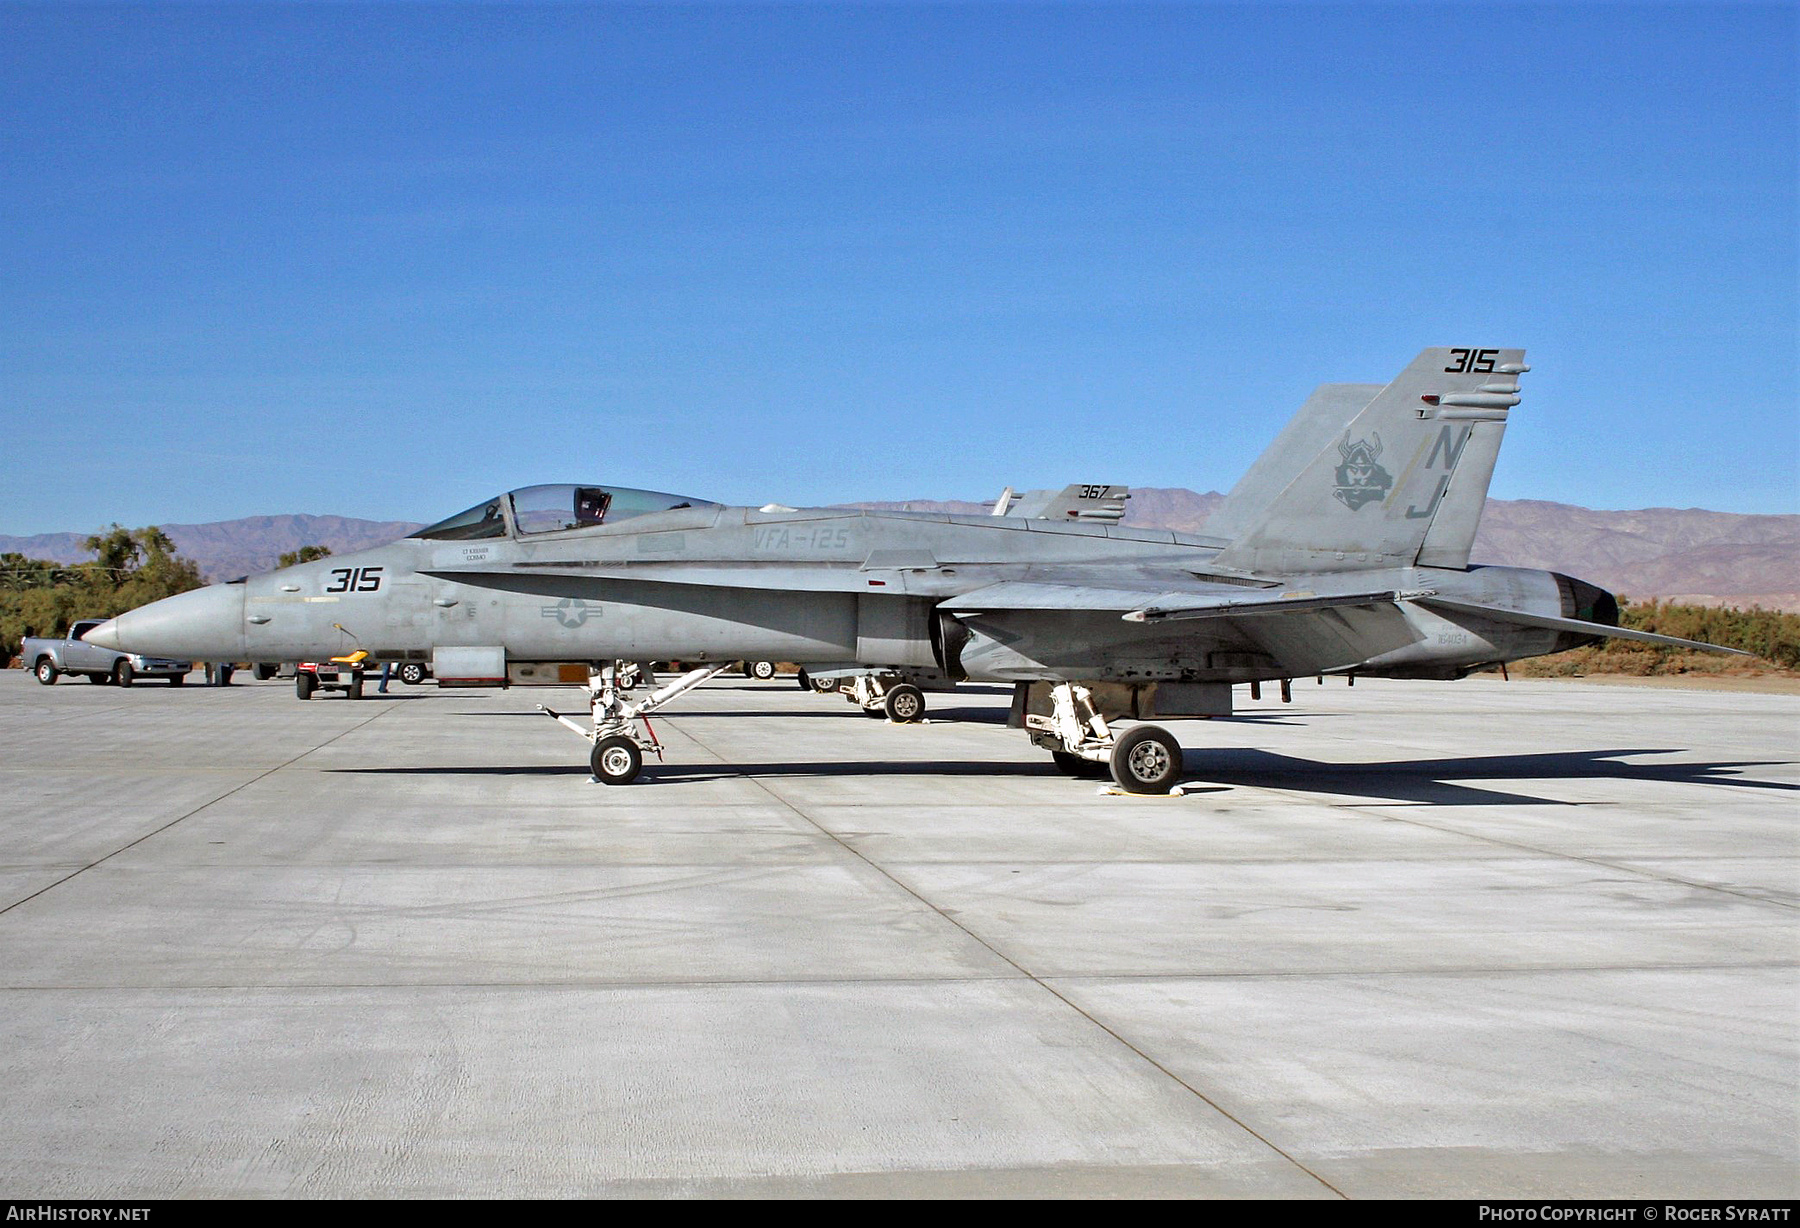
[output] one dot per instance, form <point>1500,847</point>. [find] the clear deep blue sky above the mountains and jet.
<point>388,260</point>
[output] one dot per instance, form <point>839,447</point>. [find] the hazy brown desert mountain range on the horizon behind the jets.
<point>1684,554</point>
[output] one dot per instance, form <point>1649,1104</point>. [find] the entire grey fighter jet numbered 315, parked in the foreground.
<point>1344,550</point>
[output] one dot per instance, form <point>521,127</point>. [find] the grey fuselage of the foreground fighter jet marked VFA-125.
<point>832,588</point>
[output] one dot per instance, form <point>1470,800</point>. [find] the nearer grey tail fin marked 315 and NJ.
<point>1378,492</point>
